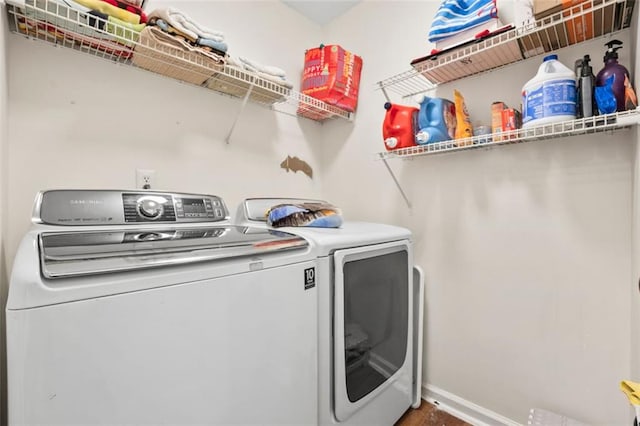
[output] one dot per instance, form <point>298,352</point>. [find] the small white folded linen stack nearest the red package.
<point>269,83</point>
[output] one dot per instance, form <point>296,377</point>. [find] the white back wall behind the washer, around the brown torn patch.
<point>78,121</point>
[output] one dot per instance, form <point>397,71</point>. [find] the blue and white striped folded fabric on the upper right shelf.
<point>455,16</point>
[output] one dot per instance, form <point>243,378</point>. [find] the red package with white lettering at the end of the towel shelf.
<point>332,74</point>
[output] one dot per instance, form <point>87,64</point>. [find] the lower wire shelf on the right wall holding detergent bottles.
<point>597,124</point>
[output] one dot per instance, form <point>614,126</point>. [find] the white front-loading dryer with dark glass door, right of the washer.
<point>369,317</point>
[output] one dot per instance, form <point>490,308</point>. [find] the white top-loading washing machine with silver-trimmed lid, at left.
<point>151,308</point>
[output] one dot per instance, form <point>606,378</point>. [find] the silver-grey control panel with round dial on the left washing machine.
<point>110,207</point>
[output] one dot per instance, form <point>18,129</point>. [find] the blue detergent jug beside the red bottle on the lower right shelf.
<point>436,120</point>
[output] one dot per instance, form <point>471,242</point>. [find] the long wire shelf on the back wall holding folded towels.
<point>56,23</point>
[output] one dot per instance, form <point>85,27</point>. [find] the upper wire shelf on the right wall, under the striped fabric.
<point>585,21</point>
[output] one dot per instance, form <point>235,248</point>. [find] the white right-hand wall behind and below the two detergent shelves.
<point>526,248</point>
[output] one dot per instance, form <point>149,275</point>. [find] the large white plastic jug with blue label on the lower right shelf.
<point>550,96</point>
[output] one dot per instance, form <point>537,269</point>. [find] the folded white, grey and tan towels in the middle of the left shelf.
<point>175,45</point>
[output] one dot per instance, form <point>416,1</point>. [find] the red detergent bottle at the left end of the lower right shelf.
<point>399,126</point>
